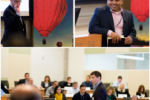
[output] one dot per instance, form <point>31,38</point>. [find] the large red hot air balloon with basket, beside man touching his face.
<point>47,15</point>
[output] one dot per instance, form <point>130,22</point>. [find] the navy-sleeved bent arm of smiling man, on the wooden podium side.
<point>95,23</point>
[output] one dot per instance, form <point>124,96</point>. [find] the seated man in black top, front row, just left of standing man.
<point>82,95</point>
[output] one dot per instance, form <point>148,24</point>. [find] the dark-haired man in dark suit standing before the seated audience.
<point>100,90</point>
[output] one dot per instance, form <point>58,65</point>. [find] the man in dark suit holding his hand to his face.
<point>15,28</point>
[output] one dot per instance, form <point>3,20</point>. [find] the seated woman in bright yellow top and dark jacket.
<point>57,94</point>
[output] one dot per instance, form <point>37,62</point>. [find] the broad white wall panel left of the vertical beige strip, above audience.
<point>49,61</point>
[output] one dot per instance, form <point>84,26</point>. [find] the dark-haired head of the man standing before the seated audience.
<point>95,77</point>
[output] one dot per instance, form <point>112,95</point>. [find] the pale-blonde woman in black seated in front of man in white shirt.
<point>121,90</point>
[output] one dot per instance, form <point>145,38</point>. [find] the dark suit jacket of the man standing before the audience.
<point>100,92</point>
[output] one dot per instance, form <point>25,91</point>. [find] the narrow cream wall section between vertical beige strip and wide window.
<point>76,64</point>
